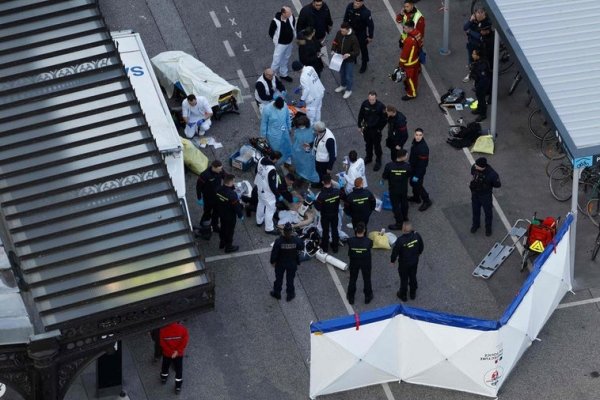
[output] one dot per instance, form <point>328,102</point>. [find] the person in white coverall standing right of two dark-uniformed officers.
<point>267,183</point>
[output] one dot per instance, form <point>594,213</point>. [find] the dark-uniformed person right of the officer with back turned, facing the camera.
<point>419,159</point>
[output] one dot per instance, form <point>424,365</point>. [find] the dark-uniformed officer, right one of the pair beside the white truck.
<point>228,207</point>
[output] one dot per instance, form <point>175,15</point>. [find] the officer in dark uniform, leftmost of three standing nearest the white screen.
<point>285,259</point>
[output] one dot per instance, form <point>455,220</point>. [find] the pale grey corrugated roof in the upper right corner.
<point>558,45</point>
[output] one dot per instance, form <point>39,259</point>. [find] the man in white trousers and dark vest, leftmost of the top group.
<point>283,32</point>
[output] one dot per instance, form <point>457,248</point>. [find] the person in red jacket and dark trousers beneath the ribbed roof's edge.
<point>173,341</point>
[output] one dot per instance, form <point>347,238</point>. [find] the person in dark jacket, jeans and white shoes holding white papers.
<point>346,44</point>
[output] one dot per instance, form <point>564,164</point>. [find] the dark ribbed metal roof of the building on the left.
<point>85,196</point>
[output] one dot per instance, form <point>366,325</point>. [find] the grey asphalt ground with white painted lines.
<point>253,347</point>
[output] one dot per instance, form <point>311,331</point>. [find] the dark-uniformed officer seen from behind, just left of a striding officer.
<point>397,174</point>
